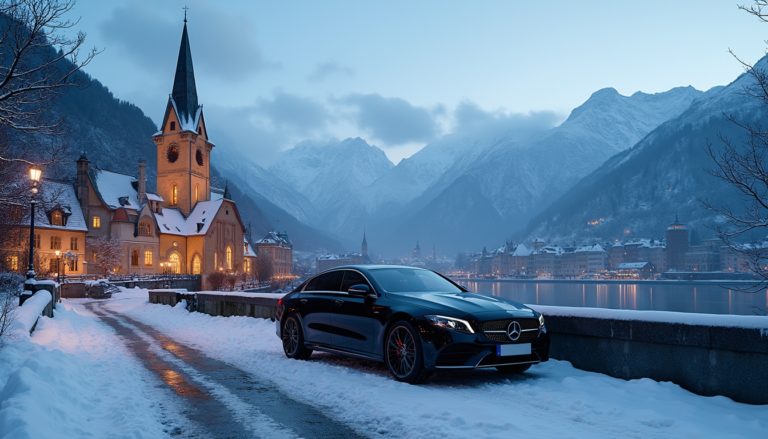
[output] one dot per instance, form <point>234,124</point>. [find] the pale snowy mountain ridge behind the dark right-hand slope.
<point>513,179</point>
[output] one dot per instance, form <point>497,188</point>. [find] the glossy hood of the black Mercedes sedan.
<point>474,304</point>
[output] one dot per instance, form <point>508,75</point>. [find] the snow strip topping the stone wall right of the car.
<point>719,320</point>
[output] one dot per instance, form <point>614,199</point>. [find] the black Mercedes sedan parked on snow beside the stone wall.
<point>412,319</point>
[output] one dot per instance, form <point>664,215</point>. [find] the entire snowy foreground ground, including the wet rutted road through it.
<point>109,370</point>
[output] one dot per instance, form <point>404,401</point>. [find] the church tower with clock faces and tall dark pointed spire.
<point>183,149</point>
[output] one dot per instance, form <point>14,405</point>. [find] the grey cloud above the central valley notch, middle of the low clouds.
<point>394,121</point>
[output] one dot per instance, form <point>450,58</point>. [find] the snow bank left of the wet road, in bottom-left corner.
<point>75,379</point>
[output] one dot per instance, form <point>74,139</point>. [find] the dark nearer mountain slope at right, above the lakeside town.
<point>639,191</point>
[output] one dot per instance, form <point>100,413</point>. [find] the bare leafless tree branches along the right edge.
<point>744,166</point>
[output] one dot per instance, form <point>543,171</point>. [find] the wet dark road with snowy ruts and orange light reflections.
<point>220,400</point>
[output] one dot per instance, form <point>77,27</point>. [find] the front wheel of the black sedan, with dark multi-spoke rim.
<point>403,353</point>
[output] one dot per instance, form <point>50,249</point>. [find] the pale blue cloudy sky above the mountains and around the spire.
<point>401,73</point>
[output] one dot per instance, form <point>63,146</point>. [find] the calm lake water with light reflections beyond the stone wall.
<point>697,297</point>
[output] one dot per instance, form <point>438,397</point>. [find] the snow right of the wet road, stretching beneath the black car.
<point>551,400</point>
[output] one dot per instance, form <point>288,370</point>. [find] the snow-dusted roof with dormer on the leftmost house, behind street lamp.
<point>56,195</point>
